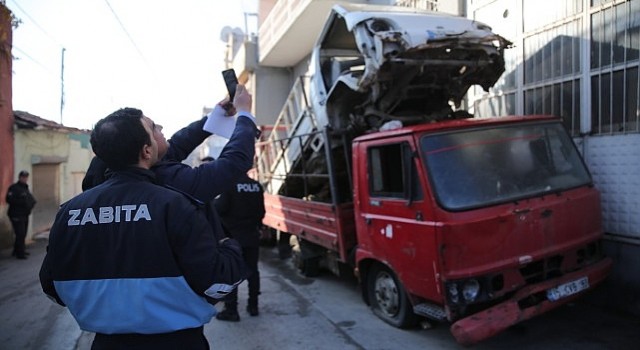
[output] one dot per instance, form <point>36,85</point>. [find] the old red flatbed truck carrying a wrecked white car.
<point>482,223</point>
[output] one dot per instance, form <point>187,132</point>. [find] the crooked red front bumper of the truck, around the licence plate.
<point>494,320</point>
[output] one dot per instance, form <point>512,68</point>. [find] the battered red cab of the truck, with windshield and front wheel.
<point>474,222</point>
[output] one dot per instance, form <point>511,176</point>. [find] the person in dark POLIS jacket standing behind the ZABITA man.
<point>241,210</point>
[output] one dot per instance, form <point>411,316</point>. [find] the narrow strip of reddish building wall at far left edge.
<point>6,124</point>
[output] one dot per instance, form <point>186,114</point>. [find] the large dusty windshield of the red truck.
<point>480,167</point>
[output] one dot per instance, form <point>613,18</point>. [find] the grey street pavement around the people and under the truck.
<point>302,313</point>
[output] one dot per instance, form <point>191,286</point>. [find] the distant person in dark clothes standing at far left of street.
<point>21,202</point>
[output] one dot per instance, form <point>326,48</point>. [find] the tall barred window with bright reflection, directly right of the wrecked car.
<point>552,65</point>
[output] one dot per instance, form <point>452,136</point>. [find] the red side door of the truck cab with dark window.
<point>394,215</point>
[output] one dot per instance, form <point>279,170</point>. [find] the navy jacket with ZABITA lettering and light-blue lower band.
<point>129,256</point>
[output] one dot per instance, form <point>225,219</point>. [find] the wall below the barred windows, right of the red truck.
<point>614,163</point>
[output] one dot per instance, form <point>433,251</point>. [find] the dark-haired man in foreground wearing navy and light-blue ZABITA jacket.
<point>134,262</point>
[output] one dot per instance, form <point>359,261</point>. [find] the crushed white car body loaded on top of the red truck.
<point>402,63</point>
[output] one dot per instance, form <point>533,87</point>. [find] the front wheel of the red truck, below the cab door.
<point>388,299</point>
